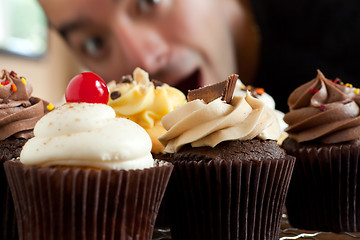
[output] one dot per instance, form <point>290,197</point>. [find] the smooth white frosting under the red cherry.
<point>88,135</point>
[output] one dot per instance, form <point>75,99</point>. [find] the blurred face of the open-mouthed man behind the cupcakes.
<point>185,43</point>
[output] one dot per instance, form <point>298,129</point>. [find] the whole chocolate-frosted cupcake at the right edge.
<point>324,136</point>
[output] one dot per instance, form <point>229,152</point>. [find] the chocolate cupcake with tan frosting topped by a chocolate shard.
<point>230,177</point>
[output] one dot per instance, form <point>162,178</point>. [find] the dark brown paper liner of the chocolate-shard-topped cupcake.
<point>228,199</point>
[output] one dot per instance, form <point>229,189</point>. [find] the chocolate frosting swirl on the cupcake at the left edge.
<point>18,110</point>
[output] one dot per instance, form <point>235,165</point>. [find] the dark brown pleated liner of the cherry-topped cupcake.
<point>75,203</point>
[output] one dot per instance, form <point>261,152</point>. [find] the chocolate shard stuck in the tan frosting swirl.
<point>224,89</point>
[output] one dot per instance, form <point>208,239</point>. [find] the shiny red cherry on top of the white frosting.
<point>87,87</point>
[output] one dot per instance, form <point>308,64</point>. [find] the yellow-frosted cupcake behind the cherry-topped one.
<point>145,102</point>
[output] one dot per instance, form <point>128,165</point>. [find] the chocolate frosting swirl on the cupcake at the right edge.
<point>324,111</point>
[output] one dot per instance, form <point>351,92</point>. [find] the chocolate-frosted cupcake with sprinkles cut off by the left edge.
<point>19,112</point>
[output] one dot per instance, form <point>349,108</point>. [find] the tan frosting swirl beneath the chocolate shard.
<point>204,124</point>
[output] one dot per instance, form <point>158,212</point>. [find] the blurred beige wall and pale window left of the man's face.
<point>30,49</point>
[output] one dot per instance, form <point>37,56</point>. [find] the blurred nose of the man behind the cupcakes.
<point>141,45</point>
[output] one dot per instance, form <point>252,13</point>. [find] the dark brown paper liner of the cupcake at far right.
<point>324,191</point>
